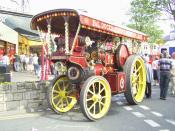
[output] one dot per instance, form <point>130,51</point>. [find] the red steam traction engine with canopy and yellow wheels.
<point>91,65</point>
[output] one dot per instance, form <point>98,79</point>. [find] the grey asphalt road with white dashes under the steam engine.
<point>151,115</point>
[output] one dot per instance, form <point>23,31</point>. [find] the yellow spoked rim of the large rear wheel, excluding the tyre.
<point>138,80</point>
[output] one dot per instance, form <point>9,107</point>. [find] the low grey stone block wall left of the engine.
<point>23,97</point>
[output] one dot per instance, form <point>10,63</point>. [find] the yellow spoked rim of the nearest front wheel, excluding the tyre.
<point>98,98</point>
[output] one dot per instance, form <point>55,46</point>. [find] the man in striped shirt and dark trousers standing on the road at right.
<point>165,65</point>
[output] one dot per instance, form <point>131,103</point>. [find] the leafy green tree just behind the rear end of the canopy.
<point>144,16</point>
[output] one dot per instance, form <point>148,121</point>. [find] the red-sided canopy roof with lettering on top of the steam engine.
<point>87,23</point>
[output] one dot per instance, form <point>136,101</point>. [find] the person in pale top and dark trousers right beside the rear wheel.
<point>149,78</point>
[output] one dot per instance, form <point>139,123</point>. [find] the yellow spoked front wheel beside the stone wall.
<point>62,98</point>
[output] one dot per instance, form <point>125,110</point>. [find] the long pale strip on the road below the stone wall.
<point>19,116</point>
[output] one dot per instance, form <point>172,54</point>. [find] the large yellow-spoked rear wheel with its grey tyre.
<point>135,79</point>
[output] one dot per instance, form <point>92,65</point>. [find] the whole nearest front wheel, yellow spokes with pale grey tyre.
<point>95,97</point>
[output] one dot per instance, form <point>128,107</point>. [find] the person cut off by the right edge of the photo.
<point>172,79</point>
